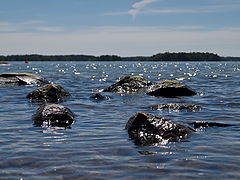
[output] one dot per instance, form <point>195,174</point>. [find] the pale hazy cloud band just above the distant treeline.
<point>124,41</point>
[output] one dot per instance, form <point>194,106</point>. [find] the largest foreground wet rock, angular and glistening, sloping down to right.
<point>147,129</point>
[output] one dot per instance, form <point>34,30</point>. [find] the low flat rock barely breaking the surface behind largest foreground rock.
<point>176,107</point>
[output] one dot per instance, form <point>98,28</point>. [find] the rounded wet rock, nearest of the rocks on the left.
<point>53,115</point>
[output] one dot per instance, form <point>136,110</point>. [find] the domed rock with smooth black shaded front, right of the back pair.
<point>170,88</point>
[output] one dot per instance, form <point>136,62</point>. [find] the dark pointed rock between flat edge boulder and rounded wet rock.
<point>49,93</point>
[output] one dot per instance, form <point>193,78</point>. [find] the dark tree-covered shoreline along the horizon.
<point>160,57</point>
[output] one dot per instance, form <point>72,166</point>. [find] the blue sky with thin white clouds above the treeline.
<point>119,27</point>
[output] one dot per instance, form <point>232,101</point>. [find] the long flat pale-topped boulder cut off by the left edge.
<point>20,79</point>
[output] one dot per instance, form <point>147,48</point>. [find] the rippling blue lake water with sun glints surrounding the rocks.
<point>98,147</point>
